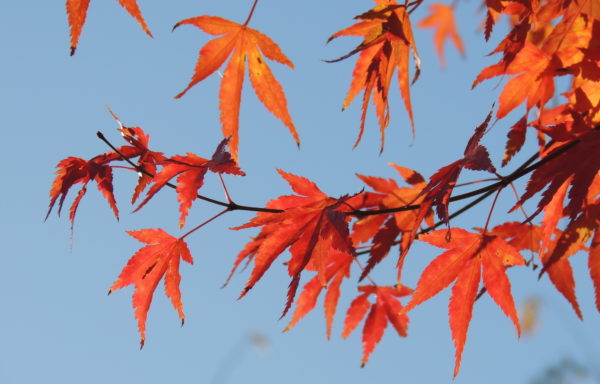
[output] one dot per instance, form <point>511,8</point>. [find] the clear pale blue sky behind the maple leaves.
<point>58,325</point>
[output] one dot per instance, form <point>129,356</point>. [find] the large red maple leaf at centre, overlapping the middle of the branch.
<point>313,226</point>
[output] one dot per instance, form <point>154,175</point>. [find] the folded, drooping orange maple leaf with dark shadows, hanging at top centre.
<point>388,40</point>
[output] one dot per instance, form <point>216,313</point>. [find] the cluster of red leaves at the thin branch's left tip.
<point>160,258</point>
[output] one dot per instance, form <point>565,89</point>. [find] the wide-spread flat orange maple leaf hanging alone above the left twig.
<point>241,43</point>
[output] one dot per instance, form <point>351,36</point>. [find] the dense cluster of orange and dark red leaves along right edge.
<point>551,39</point>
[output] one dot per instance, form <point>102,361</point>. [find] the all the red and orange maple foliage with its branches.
<point>325,240</point>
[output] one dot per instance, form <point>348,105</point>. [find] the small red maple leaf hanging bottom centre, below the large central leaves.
<point>386,309</point>
